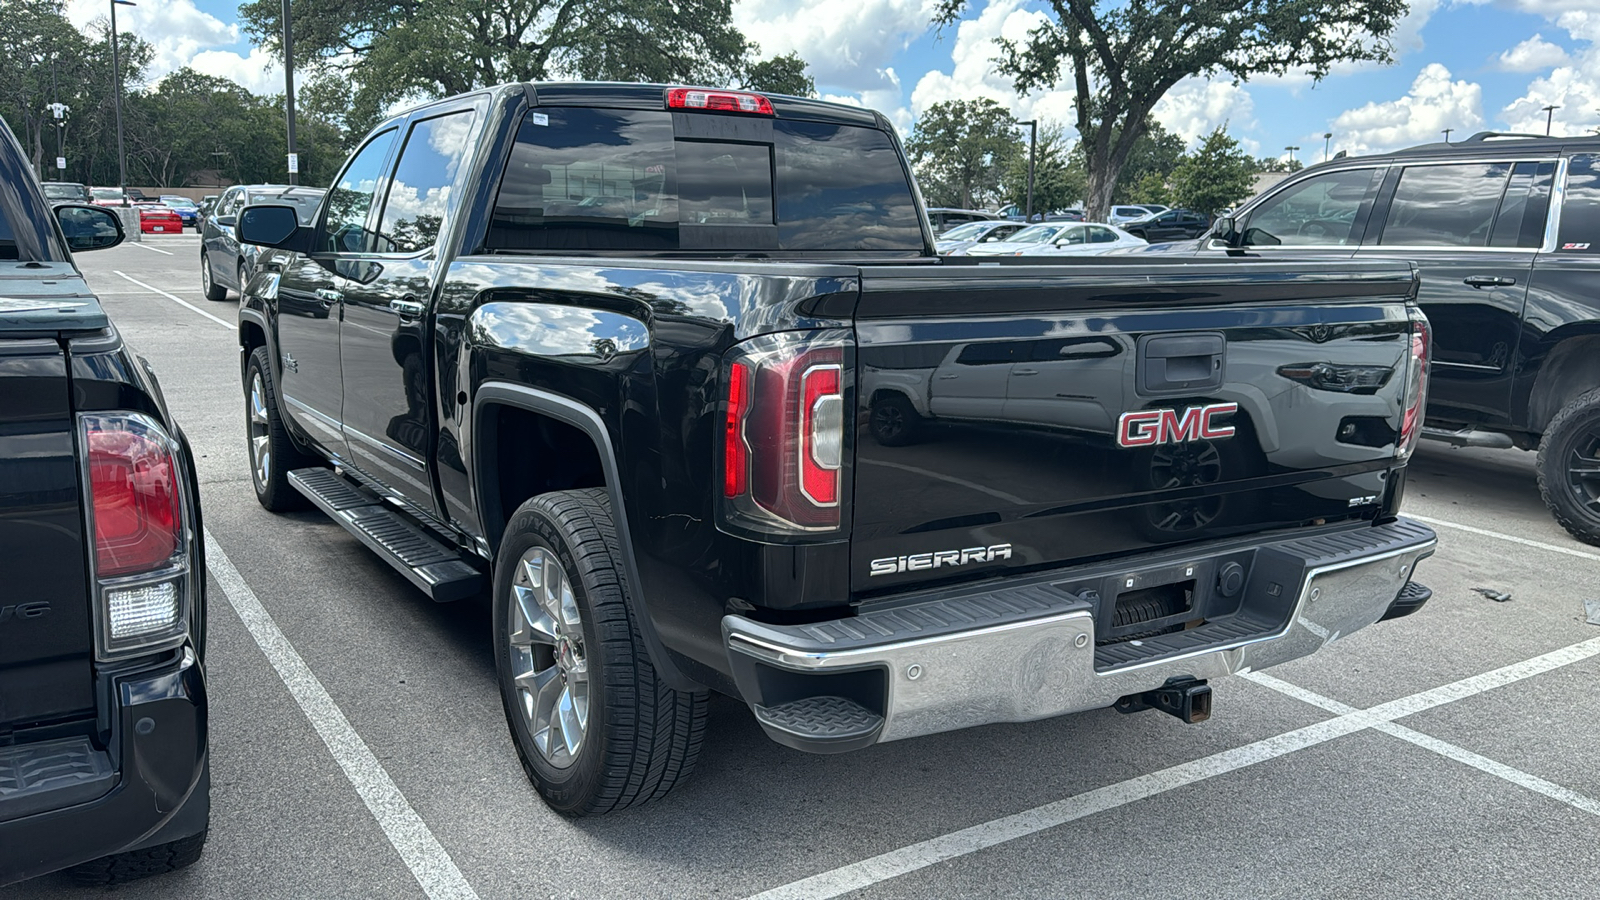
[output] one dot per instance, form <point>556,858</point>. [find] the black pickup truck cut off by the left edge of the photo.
<point>103,699</point>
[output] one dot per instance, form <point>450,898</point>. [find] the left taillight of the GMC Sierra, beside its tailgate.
<point>785,436</point>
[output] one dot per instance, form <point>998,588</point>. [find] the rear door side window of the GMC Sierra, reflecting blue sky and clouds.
<point>420,190</point>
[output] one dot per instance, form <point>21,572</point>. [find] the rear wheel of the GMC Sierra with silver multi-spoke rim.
<point>594,726</point>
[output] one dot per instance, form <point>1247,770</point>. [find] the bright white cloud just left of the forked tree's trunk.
<point>974,73</point>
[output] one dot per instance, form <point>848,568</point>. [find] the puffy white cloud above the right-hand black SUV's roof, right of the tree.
<point>1433,105</point>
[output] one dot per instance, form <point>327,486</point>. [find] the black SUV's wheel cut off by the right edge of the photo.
<point>1570,467</point>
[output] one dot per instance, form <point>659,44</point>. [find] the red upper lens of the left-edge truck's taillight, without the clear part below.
<point>135,502</point>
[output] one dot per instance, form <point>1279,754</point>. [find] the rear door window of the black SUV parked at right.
<point>1446,206</point>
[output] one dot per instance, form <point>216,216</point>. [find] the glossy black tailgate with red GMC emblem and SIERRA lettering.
<point>1028,417</point>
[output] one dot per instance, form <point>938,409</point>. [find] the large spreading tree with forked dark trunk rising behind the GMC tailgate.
<point>1124,57</point>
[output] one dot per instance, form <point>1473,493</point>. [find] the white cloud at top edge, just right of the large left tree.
<point>846,42</point>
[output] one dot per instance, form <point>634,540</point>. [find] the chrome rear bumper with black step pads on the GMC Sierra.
<point>1030,651</point>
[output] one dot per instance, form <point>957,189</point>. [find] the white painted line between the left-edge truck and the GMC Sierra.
<point>406,830</point>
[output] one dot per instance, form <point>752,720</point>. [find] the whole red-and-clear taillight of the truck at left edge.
<point>135,497</point>
